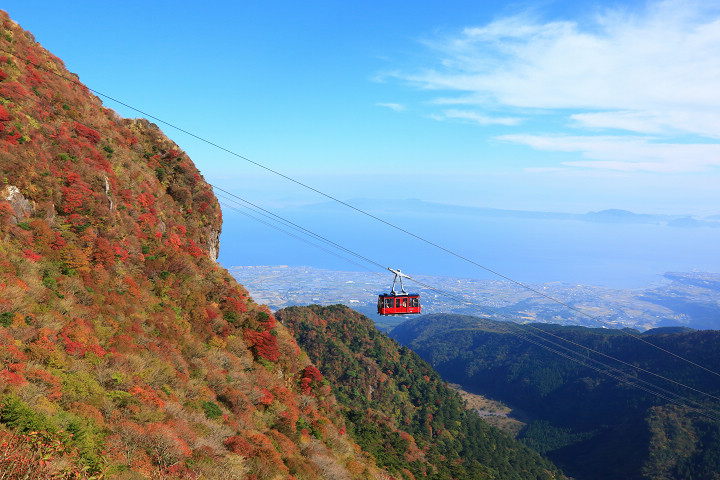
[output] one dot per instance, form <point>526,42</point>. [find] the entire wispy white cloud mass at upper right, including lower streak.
<point>643,69</point>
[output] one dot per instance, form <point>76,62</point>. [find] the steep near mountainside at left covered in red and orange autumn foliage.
<point>125,350</point>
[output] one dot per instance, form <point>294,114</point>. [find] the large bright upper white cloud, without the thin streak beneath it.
<point>624,61</point>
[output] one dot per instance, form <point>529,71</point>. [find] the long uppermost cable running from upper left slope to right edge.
<point>330,197</point>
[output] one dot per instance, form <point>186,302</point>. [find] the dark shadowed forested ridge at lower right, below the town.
<point>591,425</point>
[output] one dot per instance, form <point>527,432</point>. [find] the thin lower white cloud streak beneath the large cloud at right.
<point>628,154</point>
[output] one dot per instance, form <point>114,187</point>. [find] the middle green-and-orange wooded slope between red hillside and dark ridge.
<point>397,407</point>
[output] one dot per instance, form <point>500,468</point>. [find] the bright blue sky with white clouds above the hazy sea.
<point>548,105</point>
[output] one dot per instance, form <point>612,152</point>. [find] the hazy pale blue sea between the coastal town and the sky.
<point>532,248</point>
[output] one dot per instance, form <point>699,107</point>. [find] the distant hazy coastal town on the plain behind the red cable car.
<point>690,299</point>
